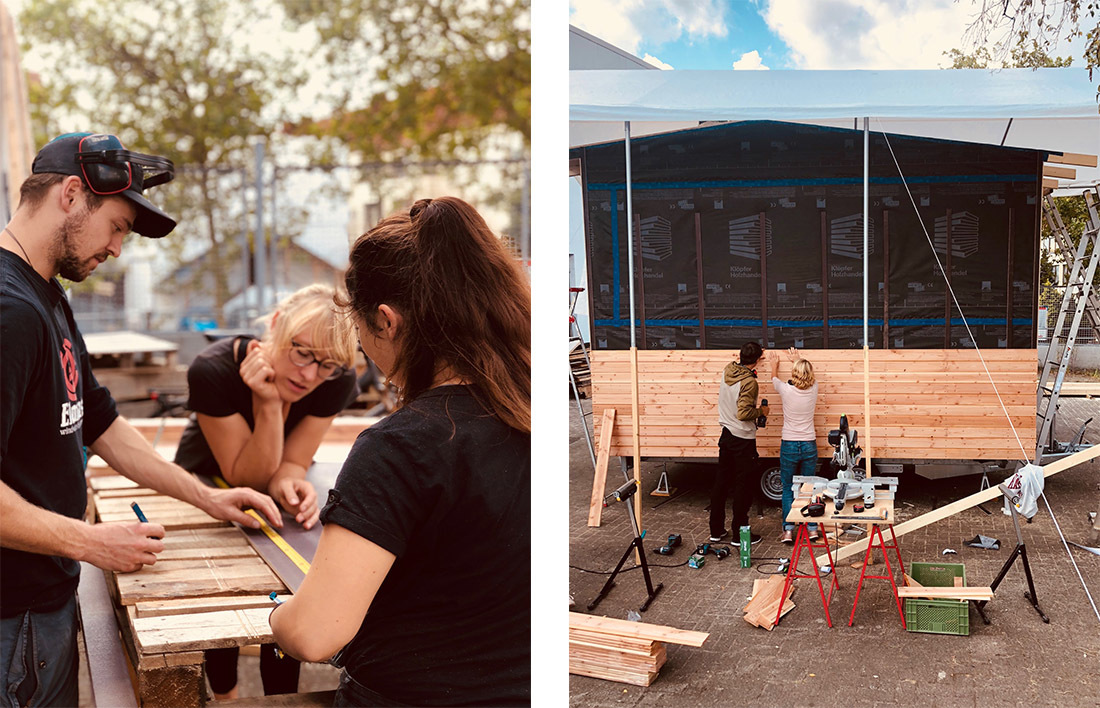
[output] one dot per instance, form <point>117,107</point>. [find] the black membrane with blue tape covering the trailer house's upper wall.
<point>758,226</point>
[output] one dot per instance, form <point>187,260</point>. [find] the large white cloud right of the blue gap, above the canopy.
<point>870,35</point>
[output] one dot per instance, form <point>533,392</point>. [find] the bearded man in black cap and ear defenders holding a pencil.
<point>84,196</point>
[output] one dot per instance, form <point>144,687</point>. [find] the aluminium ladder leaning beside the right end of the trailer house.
<point>1077,297</point>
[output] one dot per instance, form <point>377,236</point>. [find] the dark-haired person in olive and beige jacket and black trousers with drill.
<point>738,456</point>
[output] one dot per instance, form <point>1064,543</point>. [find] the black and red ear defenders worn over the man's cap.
<point>109,170</point>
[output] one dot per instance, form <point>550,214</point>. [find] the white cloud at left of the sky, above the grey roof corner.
<point>626,24</point>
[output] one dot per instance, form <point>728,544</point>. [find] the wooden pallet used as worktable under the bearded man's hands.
<point>208,590</point>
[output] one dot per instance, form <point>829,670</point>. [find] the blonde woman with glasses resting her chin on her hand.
<point>262,407</point>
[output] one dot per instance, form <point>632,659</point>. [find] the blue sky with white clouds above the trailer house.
<point>784,35</point>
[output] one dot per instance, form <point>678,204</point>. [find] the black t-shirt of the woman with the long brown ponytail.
<point>447,489</point>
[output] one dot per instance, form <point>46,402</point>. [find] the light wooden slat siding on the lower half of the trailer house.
<point>926,404</point>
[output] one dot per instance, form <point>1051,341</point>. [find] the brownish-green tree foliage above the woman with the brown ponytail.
<point>422,79</point>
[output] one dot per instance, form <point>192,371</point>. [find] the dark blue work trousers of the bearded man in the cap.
<point>39,658</point>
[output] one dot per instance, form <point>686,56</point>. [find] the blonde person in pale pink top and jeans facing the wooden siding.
<point>798,450</point>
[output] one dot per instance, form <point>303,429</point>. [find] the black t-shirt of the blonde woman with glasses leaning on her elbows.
<point>216,389</point>
